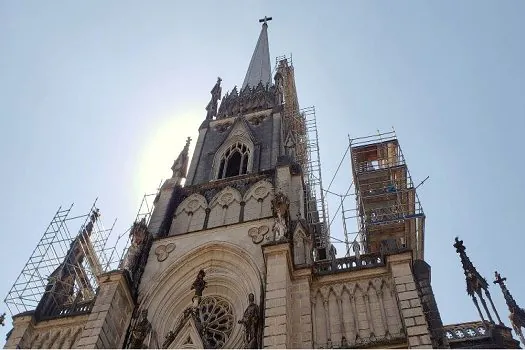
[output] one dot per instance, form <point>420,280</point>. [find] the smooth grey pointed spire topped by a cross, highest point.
<point>259,69</point>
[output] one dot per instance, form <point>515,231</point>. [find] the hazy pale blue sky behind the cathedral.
<point>98,97</point>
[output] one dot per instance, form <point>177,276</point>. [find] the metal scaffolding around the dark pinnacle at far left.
<point>61,276</point>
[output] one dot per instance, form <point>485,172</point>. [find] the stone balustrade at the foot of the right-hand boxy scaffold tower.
<point>348,264</point>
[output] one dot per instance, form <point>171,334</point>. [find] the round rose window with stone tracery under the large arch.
<point>216,317</point>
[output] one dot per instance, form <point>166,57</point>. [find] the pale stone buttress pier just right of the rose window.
<point>277,330</point>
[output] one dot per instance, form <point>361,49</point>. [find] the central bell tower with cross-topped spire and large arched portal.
<point>232,224</point>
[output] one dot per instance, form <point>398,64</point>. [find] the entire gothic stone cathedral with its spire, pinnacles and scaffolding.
<point>236,252</point>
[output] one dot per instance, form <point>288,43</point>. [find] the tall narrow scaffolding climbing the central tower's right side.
<point>300,130</point>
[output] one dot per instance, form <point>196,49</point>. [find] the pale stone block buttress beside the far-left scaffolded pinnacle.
<point>111,314</point>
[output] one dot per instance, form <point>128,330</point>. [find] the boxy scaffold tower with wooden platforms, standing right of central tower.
<point>388,211</point>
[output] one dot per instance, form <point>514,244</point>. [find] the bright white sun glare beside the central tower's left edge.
<point>161,147</point>
